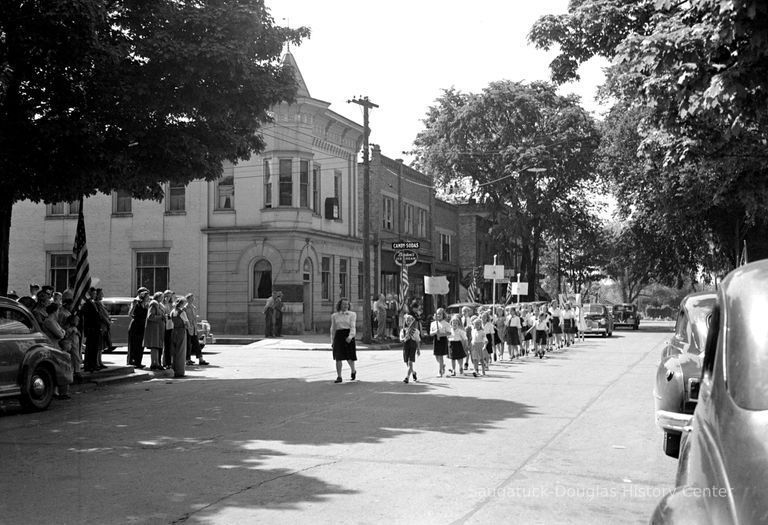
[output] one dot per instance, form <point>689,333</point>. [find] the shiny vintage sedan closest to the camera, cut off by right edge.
<point>722,474</point>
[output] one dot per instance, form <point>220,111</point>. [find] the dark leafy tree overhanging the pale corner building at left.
<point>126,94</point>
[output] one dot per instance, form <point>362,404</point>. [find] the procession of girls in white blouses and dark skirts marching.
<point>464,338</point>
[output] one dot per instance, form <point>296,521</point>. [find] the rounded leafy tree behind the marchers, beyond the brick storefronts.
<point>521,149</point>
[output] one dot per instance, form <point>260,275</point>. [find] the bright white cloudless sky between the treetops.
<point>402,54</point>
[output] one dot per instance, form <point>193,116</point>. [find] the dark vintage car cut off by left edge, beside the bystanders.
<point>30,365</point>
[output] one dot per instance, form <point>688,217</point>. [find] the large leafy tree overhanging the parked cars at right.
<point>693,72</point>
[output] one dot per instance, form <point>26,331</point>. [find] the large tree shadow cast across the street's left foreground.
<point>196,451</point>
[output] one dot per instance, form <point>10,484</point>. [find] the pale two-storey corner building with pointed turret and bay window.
<point>283,220</point>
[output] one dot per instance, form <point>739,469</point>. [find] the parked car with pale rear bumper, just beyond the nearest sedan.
<point>676,389</point>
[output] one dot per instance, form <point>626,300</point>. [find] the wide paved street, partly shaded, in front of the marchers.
<point>264,436</point>
